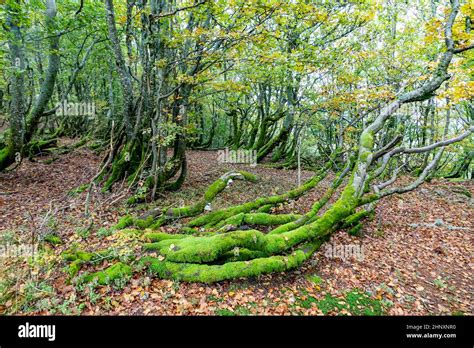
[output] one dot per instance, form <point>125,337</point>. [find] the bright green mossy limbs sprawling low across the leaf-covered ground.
<point>221,252</point>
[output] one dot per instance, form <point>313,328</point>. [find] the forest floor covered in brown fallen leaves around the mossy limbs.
<point>413,258</point>
